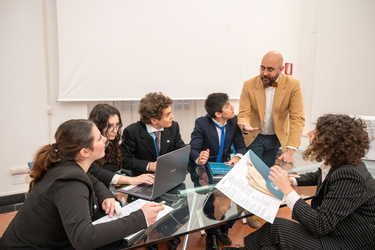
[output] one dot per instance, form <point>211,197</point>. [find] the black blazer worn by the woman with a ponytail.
<point>58,212</point>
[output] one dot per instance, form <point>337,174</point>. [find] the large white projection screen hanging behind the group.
<point>123,49</point>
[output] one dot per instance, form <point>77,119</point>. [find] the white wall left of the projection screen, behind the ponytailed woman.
<point>28,80</point>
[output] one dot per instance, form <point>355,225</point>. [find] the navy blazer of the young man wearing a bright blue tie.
<point>204,136</point>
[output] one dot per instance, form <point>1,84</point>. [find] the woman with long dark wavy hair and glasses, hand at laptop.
<point>108,169</point>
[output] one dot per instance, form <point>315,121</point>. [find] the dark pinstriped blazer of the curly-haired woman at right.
<point>342,212</point>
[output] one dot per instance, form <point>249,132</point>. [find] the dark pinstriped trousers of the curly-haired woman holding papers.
<point>282,234</point>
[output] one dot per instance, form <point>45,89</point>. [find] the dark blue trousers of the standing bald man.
<point>266,148</point>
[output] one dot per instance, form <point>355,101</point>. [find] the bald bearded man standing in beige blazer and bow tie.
<point>271,111</point>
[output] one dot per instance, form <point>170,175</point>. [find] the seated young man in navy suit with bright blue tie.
<point>211,141</point>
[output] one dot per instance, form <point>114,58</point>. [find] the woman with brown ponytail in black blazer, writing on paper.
<point>63,198</point>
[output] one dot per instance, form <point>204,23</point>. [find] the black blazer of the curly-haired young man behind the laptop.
<point>138,147</point>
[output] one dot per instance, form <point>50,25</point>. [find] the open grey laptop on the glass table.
<point>171,171</point>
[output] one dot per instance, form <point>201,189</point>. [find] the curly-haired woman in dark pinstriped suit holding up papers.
<point>342,212</point>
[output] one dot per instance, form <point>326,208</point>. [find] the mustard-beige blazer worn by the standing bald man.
<point>287,112</point>
